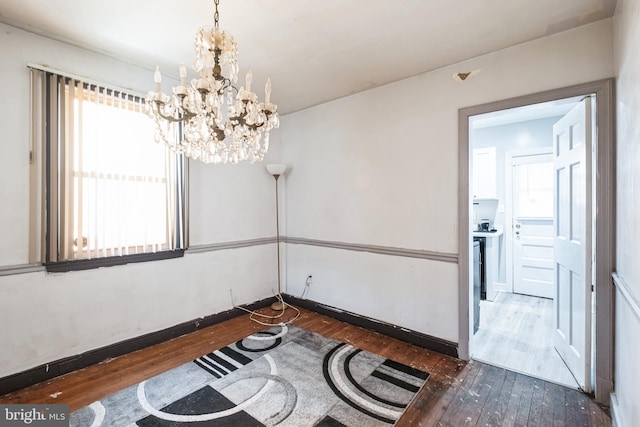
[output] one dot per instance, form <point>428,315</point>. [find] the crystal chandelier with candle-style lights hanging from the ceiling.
<point>220,123</point>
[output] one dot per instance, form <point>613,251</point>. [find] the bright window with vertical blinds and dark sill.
<point>110,193</point>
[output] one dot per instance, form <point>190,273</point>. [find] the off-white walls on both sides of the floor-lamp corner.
<point>377,168</point>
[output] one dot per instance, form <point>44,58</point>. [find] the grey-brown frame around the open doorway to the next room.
<point>604,186</point>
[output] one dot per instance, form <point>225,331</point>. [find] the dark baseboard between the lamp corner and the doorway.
<point>413,337</point>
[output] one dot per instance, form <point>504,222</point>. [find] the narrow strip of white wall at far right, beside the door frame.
<point>626,406</point>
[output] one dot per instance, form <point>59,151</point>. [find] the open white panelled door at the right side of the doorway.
<point>572,240</point>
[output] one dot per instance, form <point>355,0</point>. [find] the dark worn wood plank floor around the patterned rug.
<point>456,394</point>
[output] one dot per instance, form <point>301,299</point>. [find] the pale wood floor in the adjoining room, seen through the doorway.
<point>516,332</point>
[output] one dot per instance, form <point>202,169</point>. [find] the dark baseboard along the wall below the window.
<point>64,366</point>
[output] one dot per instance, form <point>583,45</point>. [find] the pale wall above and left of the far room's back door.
<point>511,137</point>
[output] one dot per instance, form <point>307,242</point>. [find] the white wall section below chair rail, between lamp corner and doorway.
<point>366,283</point>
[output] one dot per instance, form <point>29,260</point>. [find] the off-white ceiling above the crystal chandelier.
<point>313,51</point>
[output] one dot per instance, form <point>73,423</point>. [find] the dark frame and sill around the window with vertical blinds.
<point>42,248</point>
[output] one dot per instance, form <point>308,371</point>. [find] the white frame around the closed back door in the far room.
<point>508,206</point>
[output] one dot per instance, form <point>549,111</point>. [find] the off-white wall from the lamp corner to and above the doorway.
<point>380,168</point>
